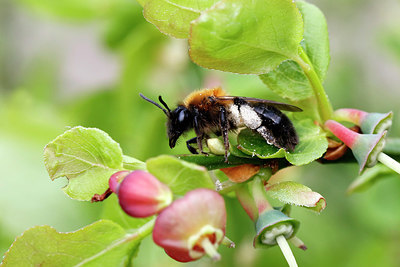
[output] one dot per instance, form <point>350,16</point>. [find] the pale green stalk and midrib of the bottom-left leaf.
<point>141,233</point>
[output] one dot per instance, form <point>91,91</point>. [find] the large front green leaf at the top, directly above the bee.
<point>243,36</point>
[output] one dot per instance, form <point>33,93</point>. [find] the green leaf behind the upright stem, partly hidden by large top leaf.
<point>289,80</point>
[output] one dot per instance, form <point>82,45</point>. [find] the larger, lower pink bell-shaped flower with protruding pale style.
<point>192,226</point>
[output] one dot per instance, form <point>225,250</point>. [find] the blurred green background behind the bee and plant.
<point>68,62</point>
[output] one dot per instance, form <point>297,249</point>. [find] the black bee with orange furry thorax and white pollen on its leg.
<point>212,111</point>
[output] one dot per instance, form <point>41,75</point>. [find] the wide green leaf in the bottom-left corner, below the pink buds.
<point>102,243</point>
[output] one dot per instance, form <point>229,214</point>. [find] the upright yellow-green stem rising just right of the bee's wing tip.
<point>324,105</point>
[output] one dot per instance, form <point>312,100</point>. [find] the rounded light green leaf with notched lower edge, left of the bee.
<point>87,157</point>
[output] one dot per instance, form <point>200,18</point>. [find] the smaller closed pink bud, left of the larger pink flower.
<point>141,195</point>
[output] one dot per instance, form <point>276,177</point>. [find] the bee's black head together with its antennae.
<point>179,120</point>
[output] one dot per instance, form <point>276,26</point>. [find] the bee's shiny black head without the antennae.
<point>179,121</point>
